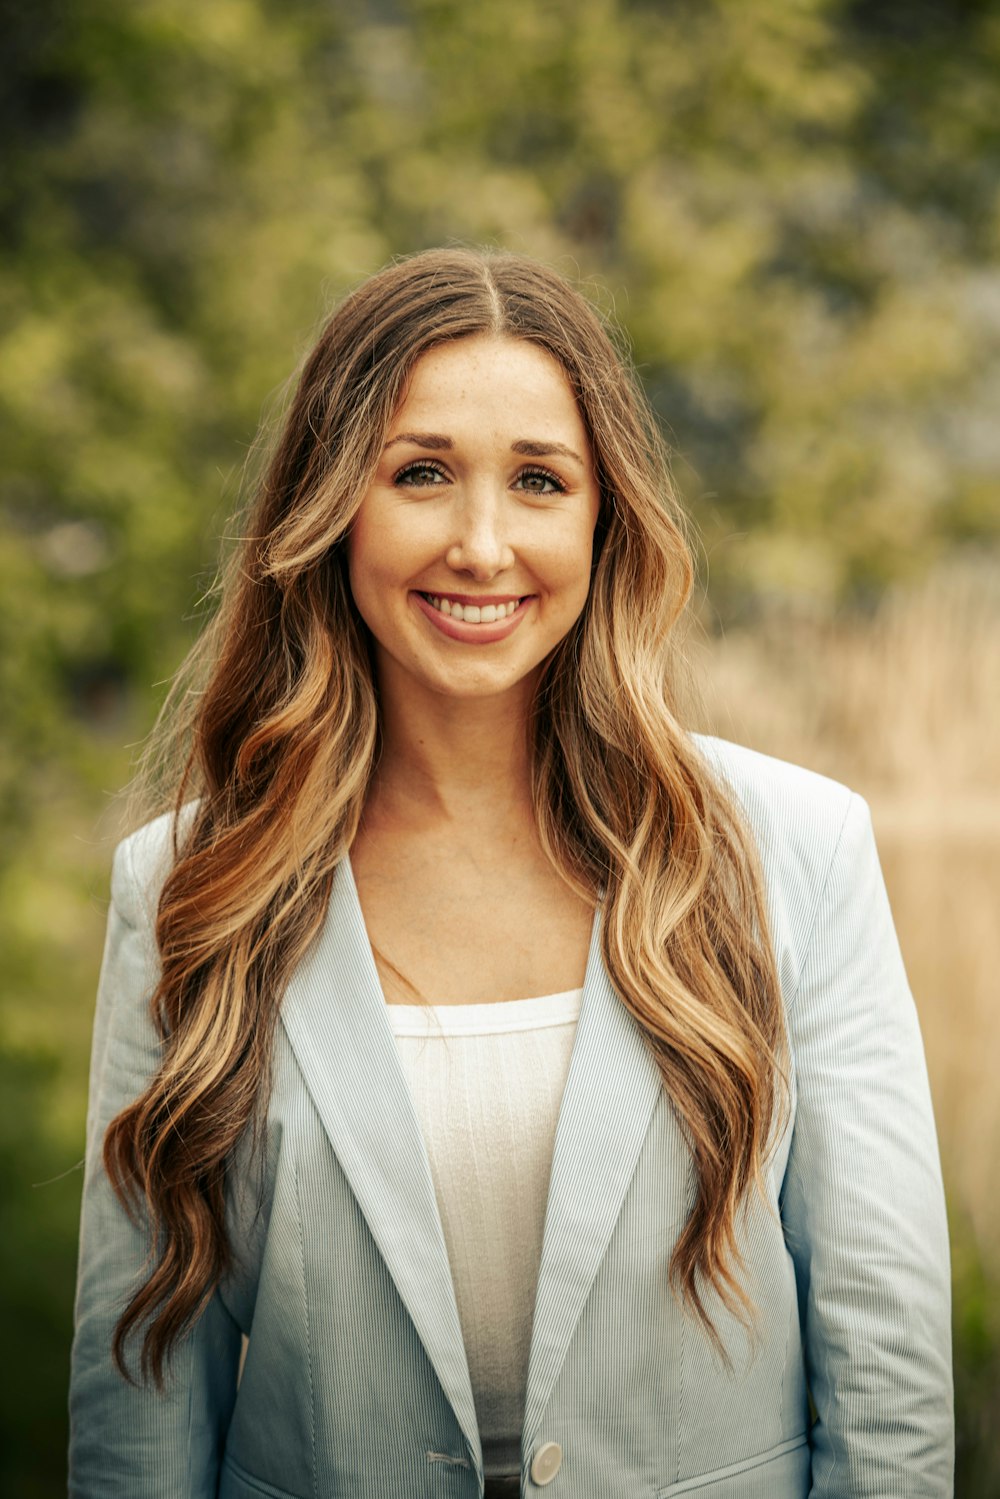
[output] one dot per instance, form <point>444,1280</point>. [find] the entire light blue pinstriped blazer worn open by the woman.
<point>356,1383</point>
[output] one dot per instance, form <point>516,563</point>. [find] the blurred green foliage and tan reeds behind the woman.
<point>794,211</point>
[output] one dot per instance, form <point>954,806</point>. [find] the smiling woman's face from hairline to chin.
<point>470,558</point>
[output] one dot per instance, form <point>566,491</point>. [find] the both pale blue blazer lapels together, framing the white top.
<point>335,1016</point>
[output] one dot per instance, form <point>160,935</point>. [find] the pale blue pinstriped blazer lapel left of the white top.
<point>337,1022</point>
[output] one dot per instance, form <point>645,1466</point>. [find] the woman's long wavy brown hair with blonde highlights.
<point>272,731</point>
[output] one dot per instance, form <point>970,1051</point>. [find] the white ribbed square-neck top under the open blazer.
<point>488,1083</point>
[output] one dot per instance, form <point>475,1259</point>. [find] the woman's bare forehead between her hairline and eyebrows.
<point>509,380</point>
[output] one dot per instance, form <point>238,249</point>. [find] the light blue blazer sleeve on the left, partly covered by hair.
<point>130,1440</point>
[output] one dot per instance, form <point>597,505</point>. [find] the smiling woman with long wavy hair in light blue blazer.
<point>663,1164</point>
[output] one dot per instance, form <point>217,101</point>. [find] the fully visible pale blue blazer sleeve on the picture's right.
<point>863,1203</point>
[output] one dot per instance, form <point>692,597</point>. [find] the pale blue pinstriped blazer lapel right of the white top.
<point>611,1094</point>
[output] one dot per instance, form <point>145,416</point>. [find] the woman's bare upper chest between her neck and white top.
<point>467,924</point>
